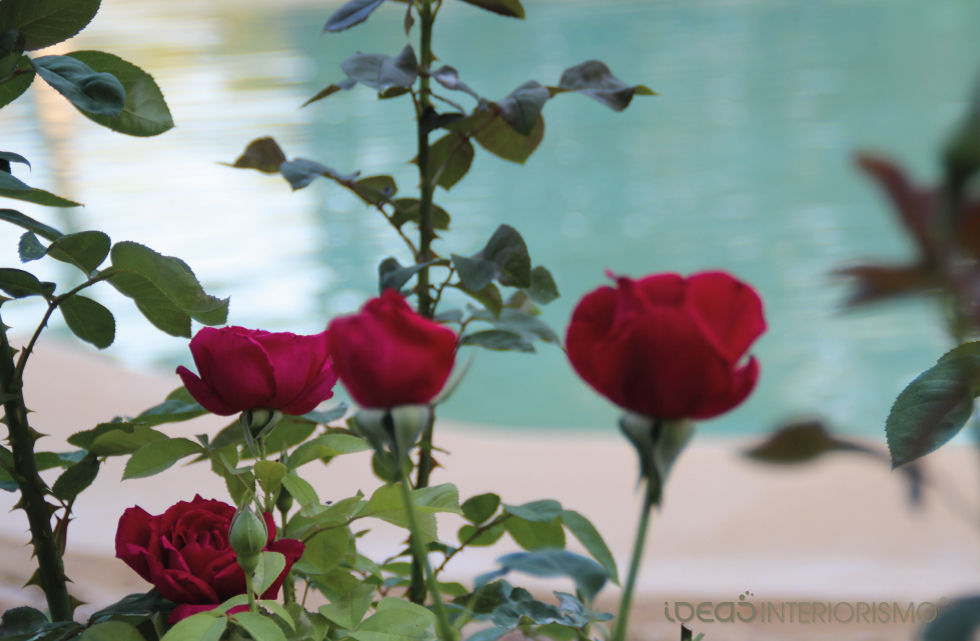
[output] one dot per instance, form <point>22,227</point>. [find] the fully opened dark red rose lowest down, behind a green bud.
<point>185,553</point>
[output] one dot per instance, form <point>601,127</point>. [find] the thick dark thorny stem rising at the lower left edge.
<point>51,569</point>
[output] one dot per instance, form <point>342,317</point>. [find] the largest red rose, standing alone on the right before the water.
<point>666,346</point>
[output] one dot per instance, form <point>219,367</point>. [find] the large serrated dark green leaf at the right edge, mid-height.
<point>935,406</point>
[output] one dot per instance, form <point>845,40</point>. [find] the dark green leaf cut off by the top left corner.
<point>43,23</point>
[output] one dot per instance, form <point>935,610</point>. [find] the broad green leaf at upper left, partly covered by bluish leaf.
<point>145,112</point>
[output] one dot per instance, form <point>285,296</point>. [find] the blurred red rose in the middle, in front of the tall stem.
<point>387,355</point>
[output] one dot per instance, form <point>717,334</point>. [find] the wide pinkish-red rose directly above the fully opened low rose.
<point>242,369</point>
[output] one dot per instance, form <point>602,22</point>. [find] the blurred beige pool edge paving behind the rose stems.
<point>837,530</point>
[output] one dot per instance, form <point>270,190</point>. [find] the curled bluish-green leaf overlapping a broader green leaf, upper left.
<point>90,91</point>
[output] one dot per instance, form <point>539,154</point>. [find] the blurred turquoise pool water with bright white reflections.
<point>742,163</point>
